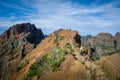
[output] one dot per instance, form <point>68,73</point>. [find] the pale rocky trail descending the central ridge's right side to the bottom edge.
<point>93,71</point>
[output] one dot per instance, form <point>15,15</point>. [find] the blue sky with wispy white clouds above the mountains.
<point>85,16</point>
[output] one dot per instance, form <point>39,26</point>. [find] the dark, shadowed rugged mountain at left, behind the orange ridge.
<point>15,43</point>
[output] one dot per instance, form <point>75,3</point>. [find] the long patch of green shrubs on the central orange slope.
<point>52,60</point>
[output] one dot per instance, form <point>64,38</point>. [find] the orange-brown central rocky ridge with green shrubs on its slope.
<point>53,59</point>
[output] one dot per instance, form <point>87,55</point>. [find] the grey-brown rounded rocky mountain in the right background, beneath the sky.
<point>103,44</point>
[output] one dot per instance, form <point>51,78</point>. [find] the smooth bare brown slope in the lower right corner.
<point>111,64</point>
